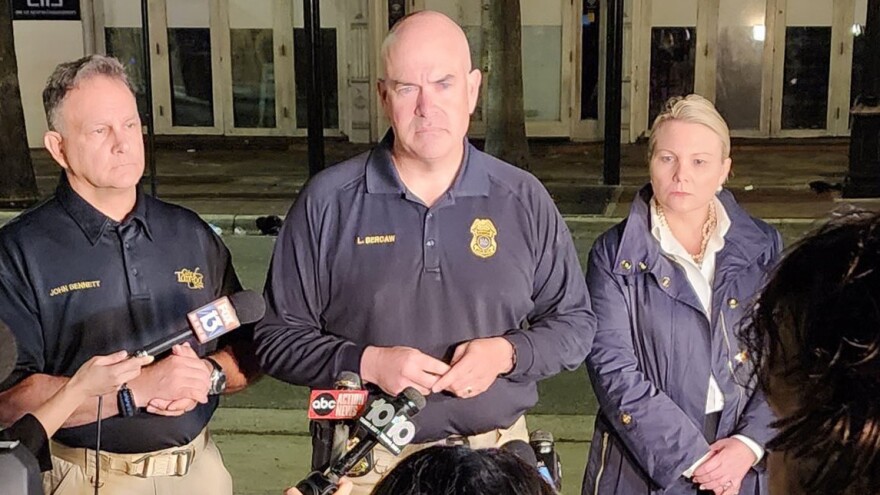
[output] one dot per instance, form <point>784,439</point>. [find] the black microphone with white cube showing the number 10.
<point>385,422</point>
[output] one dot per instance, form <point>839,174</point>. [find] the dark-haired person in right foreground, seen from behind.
<point>814,338</point>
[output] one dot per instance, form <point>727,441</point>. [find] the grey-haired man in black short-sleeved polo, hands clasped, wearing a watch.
<point>100,267</point>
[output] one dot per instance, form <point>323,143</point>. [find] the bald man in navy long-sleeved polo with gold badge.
<point>426,263</point>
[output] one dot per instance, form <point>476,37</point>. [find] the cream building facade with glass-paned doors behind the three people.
<point>775,68</point>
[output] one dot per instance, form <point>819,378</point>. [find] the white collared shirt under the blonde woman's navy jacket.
<point>701,278</point>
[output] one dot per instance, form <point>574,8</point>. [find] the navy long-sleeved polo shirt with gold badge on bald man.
<point>361,261</point>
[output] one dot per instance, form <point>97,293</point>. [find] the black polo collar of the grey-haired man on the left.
<point>90,220</point>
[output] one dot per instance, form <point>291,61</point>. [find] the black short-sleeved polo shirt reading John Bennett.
<point>75,284</point>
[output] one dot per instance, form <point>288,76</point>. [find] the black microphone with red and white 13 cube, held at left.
<point>213,320</point>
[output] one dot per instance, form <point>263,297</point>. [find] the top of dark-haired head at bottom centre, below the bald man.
<point>463,471</point>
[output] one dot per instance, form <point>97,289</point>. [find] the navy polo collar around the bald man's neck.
<point>382,176</point>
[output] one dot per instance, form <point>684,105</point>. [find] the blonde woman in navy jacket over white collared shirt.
<point>669,286</point>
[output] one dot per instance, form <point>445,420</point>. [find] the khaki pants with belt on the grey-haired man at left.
<point>191,469</point>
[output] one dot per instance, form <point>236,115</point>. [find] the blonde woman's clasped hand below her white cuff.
<point>724,471</point>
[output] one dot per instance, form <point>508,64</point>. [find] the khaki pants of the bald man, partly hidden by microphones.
<point>384,460</point>
